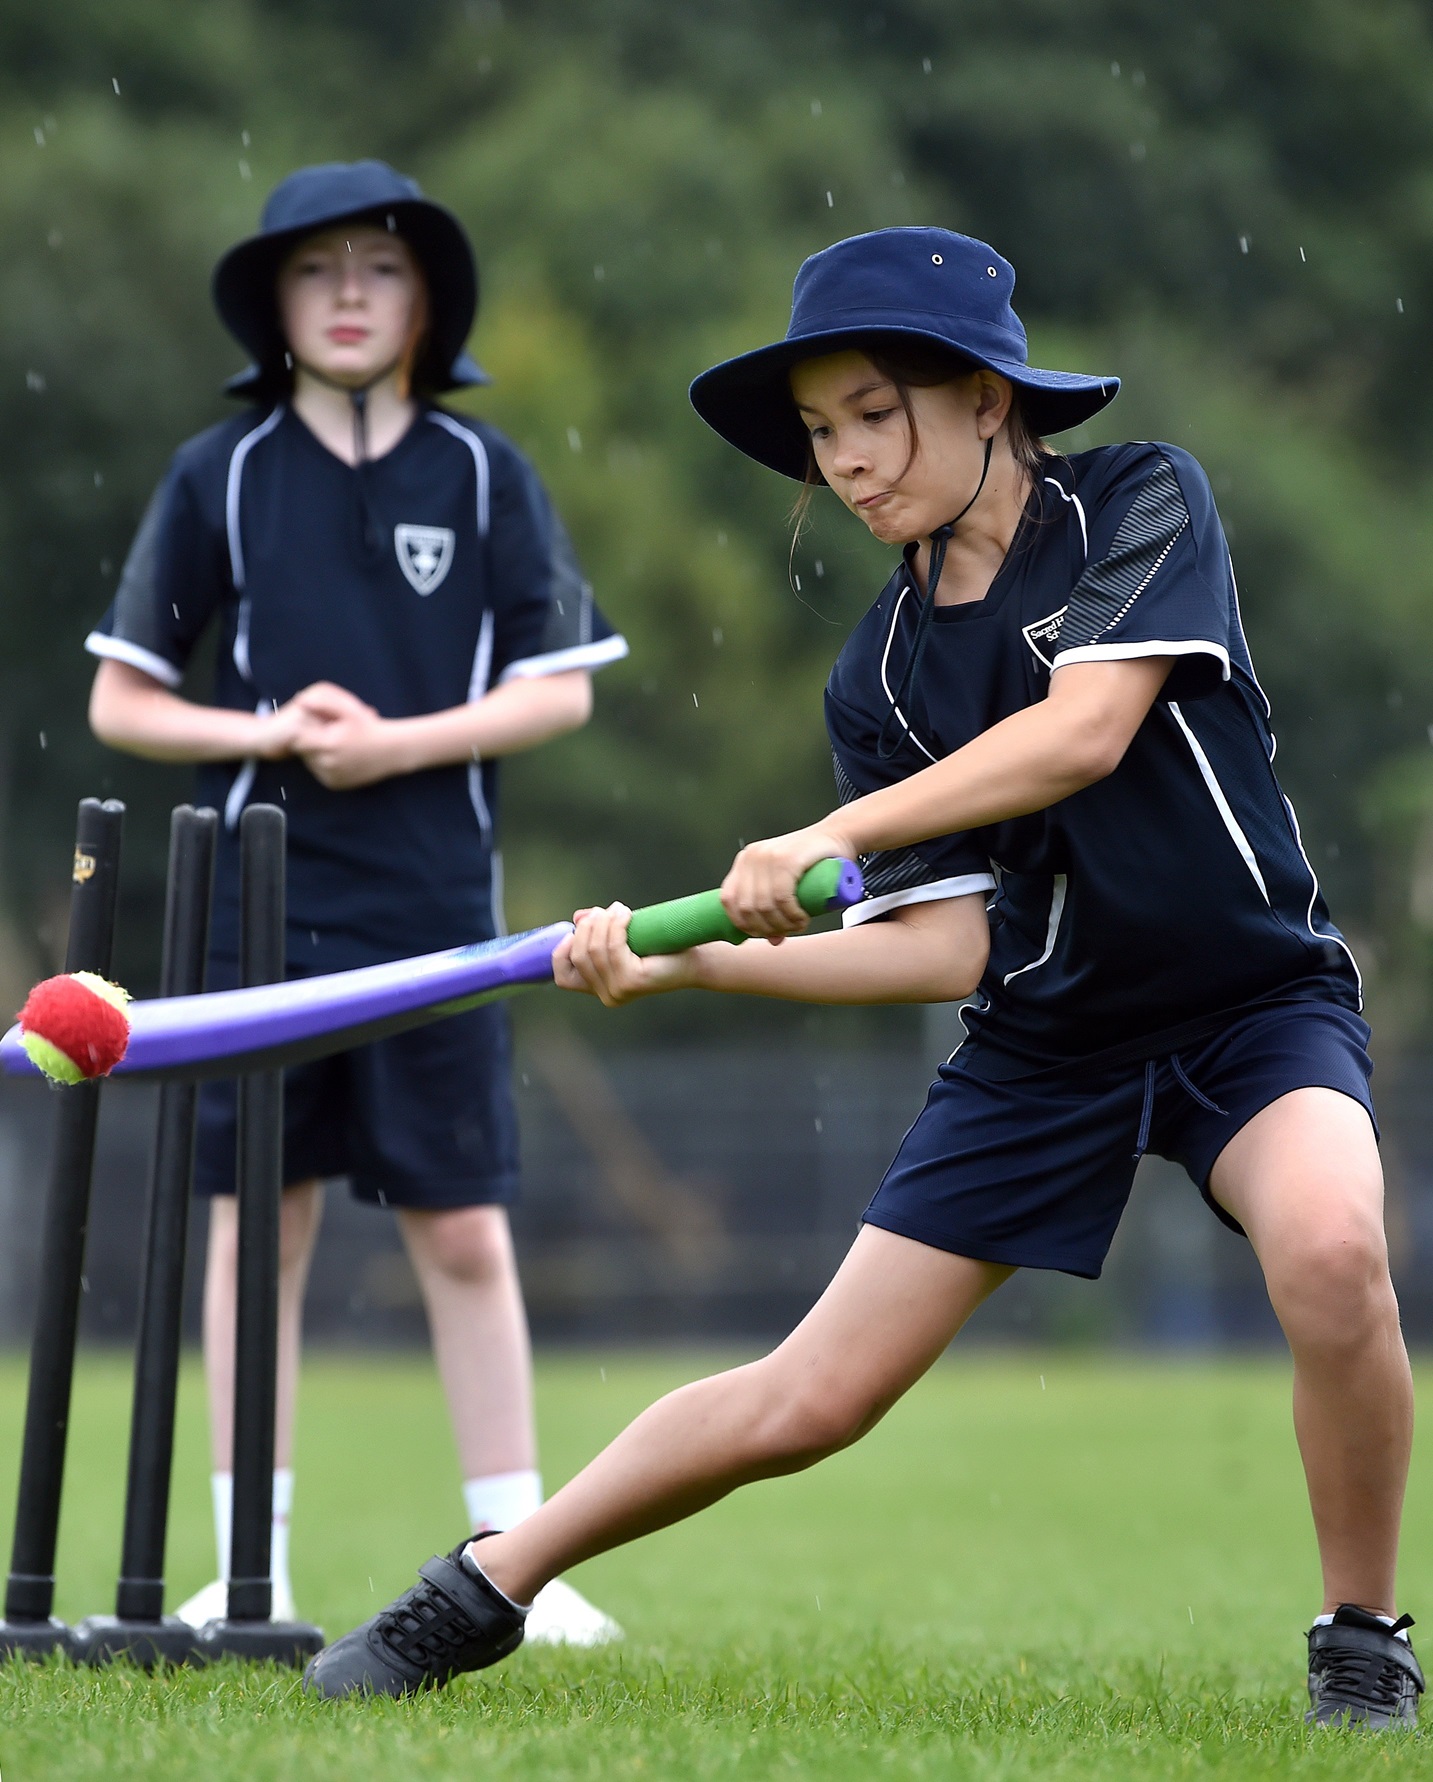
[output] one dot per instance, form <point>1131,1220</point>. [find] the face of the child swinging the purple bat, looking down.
<point>862,441</point>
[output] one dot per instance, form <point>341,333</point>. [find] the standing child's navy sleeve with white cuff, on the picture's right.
<point>545,616</point>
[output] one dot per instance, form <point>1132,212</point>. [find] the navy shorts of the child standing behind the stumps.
<point>422,1120</point>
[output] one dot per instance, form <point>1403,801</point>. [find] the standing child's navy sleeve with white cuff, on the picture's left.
<point>174,582</point>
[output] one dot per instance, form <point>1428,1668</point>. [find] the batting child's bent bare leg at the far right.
<point>1304,1181</point>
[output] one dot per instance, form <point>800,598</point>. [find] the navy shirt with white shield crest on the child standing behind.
<point>418,582</point>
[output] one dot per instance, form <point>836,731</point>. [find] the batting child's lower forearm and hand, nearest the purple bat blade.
<point>922,952</point>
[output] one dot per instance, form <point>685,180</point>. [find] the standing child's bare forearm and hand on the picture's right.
<point>348,744</point>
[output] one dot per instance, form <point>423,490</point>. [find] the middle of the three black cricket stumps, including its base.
<point>140,1630</point>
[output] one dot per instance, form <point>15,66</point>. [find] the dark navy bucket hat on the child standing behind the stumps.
<point>318,199</point>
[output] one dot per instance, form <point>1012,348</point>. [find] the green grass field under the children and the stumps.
<point>1040,1565</point>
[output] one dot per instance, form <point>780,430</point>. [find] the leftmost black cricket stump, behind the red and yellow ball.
<point>29,1626</point>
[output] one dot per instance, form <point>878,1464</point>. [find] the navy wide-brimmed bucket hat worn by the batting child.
<point>892,286</point>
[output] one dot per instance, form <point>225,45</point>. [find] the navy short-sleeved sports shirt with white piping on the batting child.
<point>1143,910</point>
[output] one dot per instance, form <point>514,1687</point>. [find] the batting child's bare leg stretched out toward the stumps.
<point>887,1316</point>
